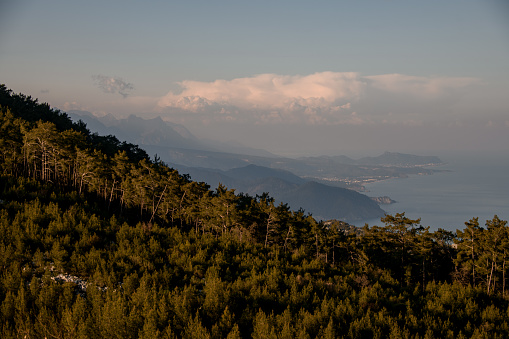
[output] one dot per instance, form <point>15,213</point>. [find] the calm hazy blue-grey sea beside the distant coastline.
<point>466,186</point>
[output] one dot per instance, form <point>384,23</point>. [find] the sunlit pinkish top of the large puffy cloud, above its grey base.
<point>267,91</point>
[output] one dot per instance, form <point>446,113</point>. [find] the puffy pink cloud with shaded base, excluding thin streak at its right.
<point>267,98</point>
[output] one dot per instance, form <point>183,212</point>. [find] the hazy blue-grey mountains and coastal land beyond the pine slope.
<point>325,186</point>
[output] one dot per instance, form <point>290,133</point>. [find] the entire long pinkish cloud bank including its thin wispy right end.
<point>319,98</point>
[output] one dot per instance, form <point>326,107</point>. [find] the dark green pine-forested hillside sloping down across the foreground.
<point>99,241</point>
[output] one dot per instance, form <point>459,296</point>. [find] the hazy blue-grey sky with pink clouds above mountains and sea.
<point>291,77</point>
